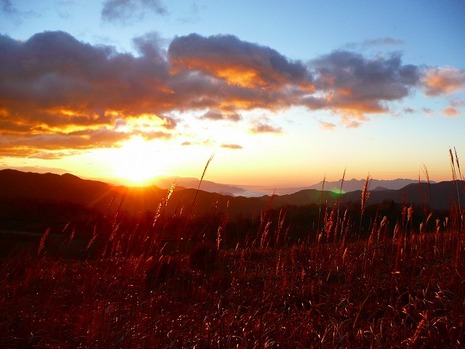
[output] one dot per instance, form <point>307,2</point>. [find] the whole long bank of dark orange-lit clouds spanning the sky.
<point>57,92</point>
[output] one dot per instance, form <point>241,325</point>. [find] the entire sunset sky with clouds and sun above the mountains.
<point>280,93</point>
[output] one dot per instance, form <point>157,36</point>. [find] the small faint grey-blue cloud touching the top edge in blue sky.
<point>128,10</point>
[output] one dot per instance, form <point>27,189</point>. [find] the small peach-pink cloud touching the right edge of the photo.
<point>443,80</point>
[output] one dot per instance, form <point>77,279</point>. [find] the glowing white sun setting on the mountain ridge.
<point>136,162</point>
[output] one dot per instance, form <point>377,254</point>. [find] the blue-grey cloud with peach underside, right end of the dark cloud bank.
<point>355,84</point>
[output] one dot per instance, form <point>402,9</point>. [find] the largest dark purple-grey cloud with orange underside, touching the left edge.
<point>55,80</point>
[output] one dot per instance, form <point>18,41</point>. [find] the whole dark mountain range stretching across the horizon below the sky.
<point>20,186</point>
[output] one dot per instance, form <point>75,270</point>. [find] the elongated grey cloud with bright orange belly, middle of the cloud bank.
<point>237,62</point>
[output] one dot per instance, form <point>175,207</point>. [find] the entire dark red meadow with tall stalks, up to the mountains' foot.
<point>325,276</point>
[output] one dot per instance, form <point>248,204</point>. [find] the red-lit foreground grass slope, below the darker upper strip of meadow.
<point>403,292</point>
